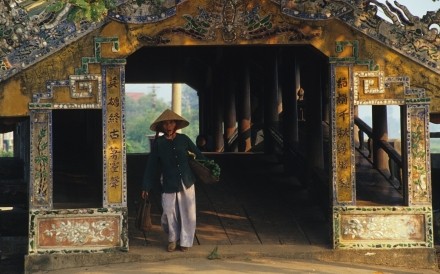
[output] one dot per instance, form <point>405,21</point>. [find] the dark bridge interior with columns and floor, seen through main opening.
<point>273,163</point>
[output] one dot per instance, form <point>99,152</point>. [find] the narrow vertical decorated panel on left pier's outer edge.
<point>41,185</point>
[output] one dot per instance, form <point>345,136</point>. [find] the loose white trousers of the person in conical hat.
<point>179,216</point>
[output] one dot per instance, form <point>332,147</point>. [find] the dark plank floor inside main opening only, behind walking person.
<point>253,204</point>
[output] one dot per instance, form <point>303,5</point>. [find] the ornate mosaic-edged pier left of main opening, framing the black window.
<point>73,230</point>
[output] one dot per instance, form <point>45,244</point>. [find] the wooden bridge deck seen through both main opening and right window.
<point>257,203</point>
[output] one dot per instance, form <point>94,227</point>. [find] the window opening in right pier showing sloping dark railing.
<point>379,163</point>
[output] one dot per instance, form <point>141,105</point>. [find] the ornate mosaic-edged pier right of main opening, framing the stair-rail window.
<point>409,224</point>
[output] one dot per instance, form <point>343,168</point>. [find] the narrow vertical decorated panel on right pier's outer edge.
<point>419,177</point>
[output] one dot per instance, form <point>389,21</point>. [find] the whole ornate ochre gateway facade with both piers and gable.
<point>51,63</point>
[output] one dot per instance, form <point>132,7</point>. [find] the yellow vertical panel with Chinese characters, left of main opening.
<point>114,150</point>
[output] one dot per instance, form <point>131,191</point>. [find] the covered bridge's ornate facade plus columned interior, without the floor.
<point>294,70</point>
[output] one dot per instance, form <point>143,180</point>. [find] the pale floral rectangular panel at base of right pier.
<point>382,227</point>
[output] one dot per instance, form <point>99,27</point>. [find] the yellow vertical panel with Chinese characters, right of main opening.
<point>342,136</point>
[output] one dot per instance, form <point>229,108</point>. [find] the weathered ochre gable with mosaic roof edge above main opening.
<point>58,49</point>
